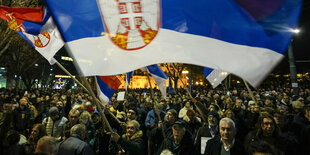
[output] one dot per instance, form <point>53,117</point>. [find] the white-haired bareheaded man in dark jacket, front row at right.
<point>225,144</point>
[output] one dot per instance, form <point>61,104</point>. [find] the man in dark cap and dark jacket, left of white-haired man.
<point>180,142</point>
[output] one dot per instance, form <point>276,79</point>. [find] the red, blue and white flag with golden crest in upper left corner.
<point>37,27</point>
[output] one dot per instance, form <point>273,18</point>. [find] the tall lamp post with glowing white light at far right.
<point>293,72</point>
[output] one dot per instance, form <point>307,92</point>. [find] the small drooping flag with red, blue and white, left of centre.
<point>106,87</point>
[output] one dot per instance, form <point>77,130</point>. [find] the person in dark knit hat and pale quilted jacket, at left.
<point>54,123</point>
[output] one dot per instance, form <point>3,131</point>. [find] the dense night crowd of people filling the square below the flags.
<point>213,122</point>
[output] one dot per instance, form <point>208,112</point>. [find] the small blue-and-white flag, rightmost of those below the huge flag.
<point>214,76</point>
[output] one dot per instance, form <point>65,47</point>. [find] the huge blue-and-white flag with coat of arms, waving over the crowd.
<point>247,39</point>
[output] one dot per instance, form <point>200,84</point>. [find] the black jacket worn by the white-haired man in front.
<point>214,147</point>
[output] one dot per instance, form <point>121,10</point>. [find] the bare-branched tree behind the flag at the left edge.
<point>16,54</point>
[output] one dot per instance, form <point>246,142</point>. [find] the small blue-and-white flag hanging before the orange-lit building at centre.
<point>160,78</point>
